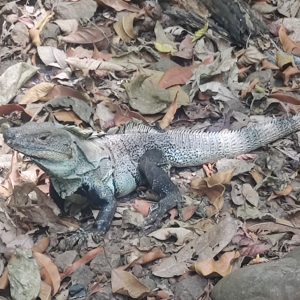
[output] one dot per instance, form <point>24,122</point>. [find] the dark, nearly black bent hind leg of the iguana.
<point>151,166</point>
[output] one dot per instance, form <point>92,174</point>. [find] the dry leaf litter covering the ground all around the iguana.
<point>115,62</point>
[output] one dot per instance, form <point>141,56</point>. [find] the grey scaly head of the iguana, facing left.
<point>52,147</point>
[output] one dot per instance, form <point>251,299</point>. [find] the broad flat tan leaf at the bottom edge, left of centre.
<point>125,283</point>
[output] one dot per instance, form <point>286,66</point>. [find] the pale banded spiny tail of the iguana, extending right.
<point>195,148</point>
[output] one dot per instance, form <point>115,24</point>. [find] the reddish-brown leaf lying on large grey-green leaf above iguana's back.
<point>177,75</point>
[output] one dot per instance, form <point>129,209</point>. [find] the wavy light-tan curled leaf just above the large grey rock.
<point>222,266</point>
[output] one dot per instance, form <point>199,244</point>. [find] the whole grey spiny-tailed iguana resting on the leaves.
<point>112,166</point>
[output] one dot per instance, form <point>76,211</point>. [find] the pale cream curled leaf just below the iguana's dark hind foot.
<point>181,234</point>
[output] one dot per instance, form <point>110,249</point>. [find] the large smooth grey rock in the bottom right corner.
<point>278,280</point>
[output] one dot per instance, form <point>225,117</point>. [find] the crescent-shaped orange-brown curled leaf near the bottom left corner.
<point>49,271</point>
